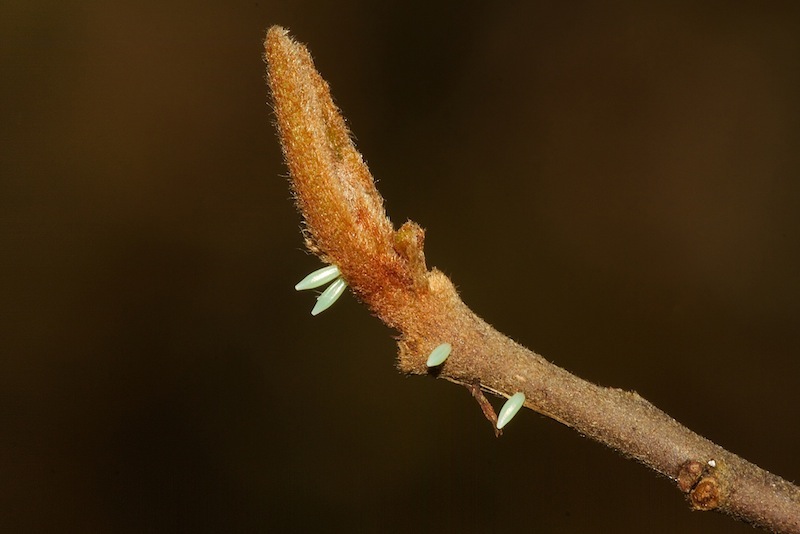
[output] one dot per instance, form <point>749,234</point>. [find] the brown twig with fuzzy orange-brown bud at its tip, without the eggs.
<point>345,224</point>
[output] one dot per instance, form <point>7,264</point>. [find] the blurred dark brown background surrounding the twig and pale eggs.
<point>614,185</point>
